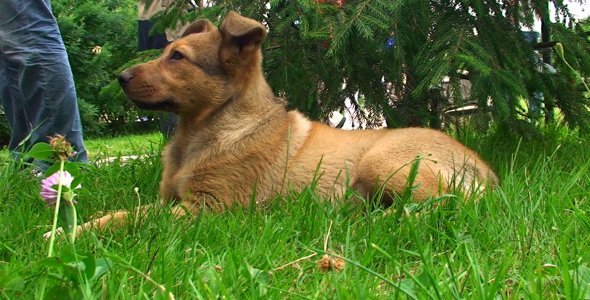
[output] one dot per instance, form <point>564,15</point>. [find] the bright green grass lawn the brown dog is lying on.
<point>530,238</point>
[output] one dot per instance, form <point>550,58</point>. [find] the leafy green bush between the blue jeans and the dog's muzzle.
<point>100,37</point>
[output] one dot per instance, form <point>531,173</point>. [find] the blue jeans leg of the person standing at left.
<point>36,83</point>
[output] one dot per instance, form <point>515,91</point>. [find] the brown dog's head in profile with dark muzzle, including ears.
<point>200,71</point>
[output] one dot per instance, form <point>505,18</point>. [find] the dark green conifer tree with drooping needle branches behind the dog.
<point>391,57</point>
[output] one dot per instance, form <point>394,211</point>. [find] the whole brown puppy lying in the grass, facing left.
<point>235,139</point>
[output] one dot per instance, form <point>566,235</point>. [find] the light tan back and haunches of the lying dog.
<point>369,159</point>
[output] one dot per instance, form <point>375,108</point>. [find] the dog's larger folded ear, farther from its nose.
<point>241,38</point>
